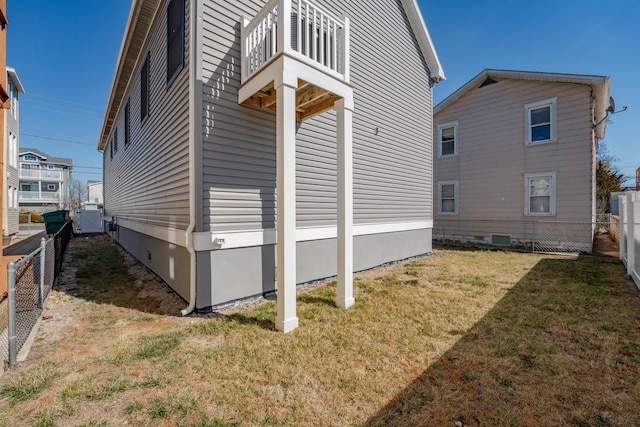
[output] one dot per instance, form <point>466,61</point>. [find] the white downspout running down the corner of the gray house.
<point>195,27</point>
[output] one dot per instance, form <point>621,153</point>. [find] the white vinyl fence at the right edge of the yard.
<point>629,209</point>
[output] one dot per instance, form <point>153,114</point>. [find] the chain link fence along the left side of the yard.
<point>30,280</point>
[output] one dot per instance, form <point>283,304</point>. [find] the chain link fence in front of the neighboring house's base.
<point>535,236</point>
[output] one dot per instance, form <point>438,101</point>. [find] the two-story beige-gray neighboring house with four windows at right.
<point>514,159</point>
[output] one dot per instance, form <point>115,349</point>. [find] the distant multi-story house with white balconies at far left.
<point>44,181</point>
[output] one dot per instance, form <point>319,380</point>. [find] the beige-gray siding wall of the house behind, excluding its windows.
<point>493,158</point>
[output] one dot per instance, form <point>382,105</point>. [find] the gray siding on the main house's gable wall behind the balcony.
<point>392,170</point>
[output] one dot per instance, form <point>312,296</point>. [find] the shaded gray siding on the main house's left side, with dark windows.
<point>148,180</point>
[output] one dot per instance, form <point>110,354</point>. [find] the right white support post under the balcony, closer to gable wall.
<point>344,115</point>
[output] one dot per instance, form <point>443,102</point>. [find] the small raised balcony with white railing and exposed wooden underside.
<point>318,48</point>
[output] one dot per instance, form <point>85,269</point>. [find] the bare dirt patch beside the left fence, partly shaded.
<point>72,311</point>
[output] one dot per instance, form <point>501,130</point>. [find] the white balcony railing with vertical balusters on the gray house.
<point>311,34</point>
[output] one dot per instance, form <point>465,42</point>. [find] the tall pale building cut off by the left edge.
<point>11,143</point>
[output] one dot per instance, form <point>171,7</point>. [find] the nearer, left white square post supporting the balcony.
<point>286,319</point>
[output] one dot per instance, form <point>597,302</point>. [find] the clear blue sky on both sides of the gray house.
<point>64,52</point>
